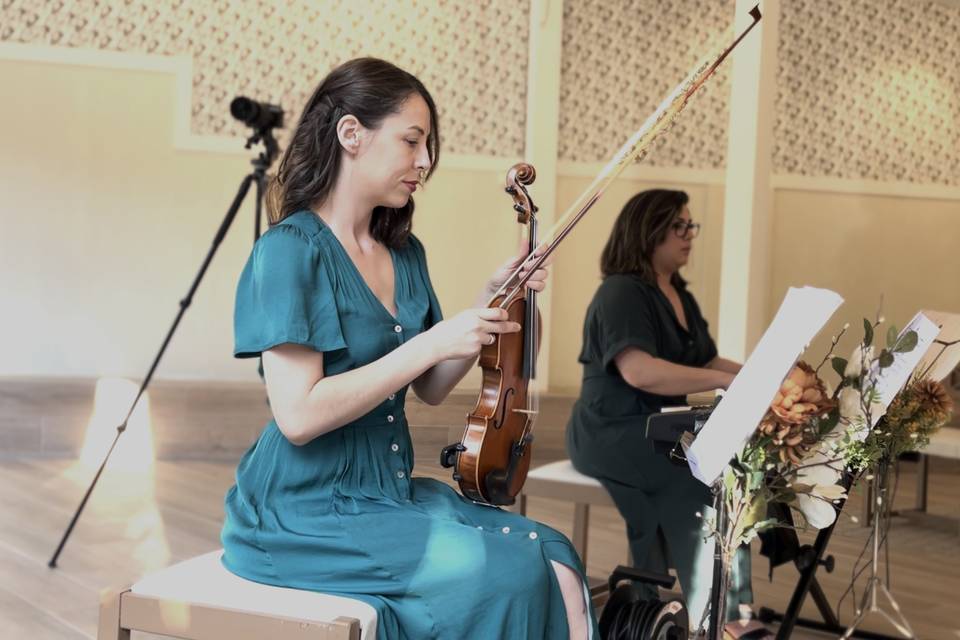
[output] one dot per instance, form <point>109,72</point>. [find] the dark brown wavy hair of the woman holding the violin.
<point>370,89</point>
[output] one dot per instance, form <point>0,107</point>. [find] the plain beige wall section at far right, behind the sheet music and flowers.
<point>864,247</point>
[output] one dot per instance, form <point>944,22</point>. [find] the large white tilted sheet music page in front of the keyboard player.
<point>802,314</point>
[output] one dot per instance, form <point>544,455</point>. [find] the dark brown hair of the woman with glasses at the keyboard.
<point>642,225</point>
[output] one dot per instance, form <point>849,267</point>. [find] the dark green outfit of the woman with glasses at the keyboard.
<point>606,432</point>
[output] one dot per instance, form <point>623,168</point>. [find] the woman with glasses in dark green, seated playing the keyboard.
<point>645,347</point>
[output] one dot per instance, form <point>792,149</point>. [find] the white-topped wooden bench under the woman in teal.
<point>199,599</point>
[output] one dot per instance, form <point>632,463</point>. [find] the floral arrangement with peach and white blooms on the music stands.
<point>812,437</point>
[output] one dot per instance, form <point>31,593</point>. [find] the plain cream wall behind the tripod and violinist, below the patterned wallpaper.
<point>105,224</point>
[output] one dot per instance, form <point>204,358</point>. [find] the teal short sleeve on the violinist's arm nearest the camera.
<point>285,295</point>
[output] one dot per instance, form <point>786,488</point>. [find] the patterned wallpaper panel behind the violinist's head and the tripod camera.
<point>472,56</point>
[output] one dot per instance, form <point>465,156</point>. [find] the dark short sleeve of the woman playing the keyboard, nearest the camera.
<point>625,318</point>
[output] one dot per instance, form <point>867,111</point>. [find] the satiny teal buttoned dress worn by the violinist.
<point>343,514</point>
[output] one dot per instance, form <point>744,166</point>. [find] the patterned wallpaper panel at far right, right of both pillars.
<point>869,89</point>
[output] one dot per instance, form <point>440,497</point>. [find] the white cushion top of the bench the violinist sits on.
<point>204,580</point>
